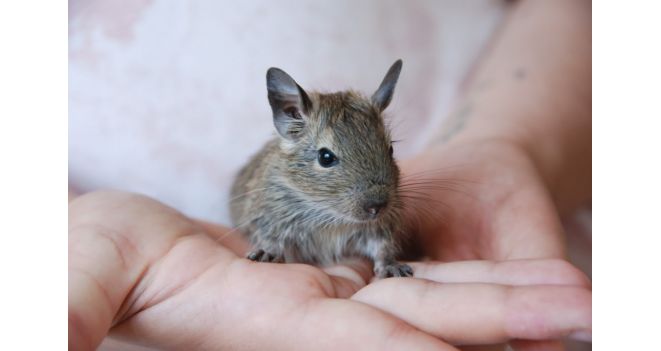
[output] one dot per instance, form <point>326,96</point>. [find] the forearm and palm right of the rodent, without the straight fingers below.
<point>516,153</point>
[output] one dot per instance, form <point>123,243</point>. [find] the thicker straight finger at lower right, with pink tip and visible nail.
<point>483,313</point>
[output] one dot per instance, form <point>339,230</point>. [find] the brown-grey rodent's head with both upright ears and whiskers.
<point>336,149</point>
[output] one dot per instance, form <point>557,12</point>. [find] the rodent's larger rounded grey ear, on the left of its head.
<point>289,102</point>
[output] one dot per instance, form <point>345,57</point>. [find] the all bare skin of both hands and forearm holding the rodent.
<point>515,156</point>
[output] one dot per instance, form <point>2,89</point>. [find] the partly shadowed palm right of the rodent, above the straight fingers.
<point>487,202</point>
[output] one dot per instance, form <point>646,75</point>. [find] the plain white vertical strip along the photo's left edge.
<point>33,150</point>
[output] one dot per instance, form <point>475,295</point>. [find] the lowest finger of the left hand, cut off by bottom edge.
<point>333,324</point>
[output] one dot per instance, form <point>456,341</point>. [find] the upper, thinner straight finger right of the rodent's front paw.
<point>513,272</point>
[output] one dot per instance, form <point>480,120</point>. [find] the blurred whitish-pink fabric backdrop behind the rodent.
<point>168,98</point>
